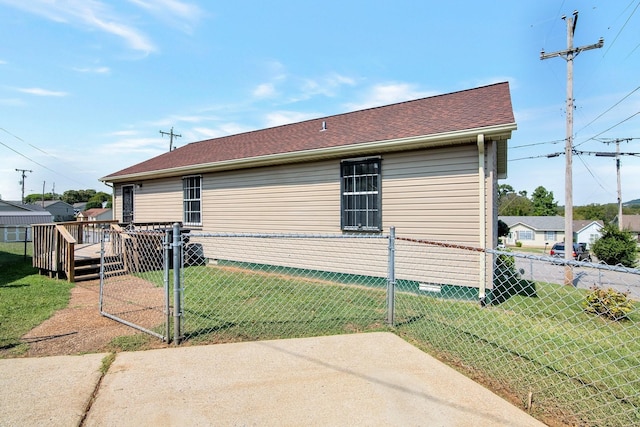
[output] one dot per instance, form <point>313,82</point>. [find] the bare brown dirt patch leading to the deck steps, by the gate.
<point>79,328</point>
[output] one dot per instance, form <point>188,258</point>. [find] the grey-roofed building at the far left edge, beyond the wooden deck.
<point>15,220</point>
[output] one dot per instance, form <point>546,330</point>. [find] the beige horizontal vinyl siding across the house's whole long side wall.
<point>426,194</point>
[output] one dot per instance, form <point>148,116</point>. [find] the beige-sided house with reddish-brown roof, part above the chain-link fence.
<point>429,167</point>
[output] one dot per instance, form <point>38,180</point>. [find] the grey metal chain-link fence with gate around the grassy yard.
<point>507,320</point>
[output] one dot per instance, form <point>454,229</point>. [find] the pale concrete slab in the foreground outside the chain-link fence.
<point>374,379</point>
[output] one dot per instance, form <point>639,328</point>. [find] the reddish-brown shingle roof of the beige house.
<point>469,109</point>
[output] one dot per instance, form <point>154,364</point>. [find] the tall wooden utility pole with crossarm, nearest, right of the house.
<point>569,54</point>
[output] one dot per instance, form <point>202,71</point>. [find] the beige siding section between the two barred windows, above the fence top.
<point>301,198</point>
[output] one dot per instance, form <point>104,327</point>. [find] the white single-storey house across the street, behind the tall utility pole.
<point>543,231</point>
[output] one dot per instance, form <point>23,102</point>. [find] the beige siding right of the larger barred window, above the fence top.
<point>432,194</point>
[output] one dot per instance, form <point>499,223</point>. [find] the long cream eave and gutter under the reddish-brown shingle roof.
<point>497,132</point>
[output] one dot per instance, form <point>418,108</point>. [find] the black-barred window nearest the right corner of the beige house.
<point>360,187</point>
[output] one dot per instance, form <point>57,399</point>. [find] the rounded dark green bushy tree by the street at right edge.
<point>616,247</point>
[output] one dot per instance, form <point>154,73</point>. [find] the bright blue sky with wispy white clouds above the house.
<point>86,85</point>
